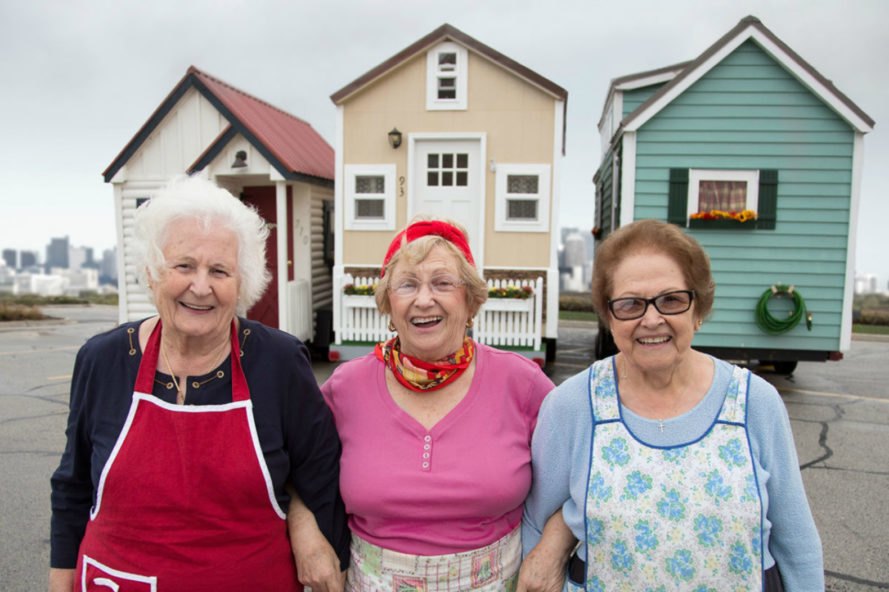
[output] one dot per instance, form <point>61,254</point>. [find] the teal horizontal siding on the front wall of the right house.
<point>750,113</point>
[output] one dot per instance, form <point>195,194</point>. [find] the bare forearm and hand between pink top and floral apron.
<point>543,569</point>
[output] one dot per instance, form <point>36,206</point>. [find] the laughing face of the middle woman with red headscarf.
<point>428,304</point>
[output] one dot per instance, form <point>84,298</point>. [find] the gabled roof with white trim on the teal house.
<point>749,28</point>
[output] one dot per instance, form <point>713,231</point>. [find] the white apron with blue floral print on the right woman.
<point>686,517</point>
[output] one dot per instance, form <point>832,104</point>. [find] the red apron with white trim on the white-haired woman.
<point>185,501</point>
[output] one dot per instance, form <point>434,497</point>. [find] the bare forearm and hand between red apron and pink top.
<point>317,564</point>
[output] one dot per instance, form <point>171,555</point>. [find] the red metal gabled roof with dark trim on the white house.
<point>289,143</point>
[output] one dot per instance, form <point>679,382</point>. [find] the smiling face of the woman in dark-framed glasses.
<point>654,342</point>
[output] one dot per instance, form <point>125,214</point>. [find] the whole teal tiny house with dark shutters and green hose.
<point>758,156</point>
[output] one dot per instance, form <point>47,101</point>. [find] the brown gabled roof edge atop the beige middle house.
<point>443,33</point>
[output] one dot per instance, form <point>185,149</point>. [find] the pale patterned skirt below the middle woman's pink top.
<point>493,568</point>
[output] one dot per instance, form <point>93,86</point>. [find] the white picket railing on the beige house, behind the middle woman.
<point>509,322</point>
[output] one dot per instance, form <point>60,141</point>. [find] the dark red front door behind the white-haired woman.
<point>263,199</point>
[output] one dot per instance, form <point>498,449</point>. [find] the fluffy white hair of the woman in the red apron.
<point>196,198</point>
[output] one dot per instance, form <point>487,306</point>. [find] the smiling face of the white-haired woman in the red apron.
<point>197,292</point>
